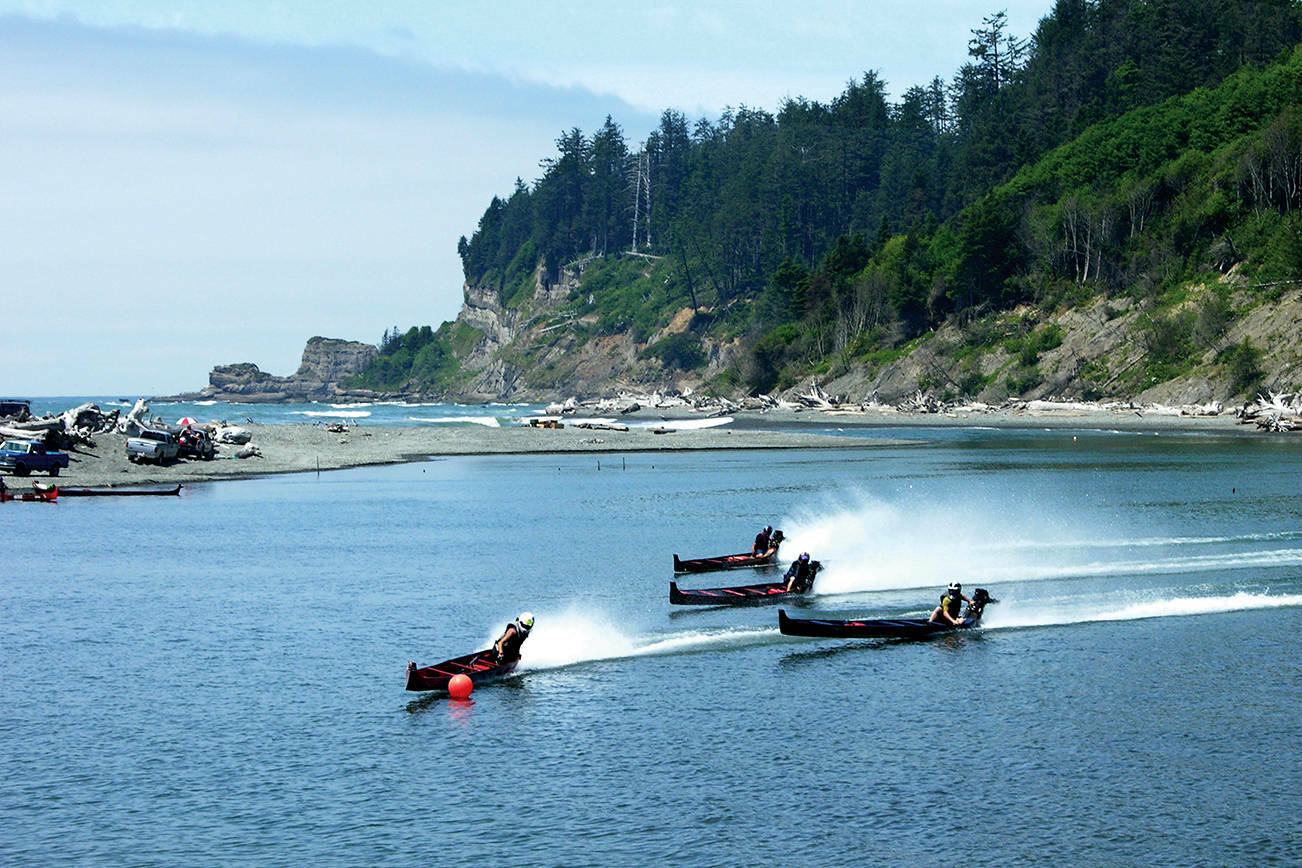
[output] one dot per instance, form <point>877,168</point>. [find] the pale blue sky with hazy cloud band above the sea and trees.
<point>196,184</point>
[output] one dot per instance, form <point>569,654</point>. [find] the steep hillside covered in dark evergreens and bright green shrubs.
<point>1144,157</point>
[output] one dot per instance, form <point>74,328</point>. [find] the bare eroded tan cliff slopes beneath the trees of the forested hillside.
<point>536,353</point>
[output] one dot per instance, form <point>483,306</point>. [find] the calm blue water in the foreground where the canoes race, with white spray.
<point>218,679</point>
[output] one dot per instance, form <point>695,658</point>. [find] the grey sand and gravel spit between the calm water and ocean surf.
<point>312,448</point>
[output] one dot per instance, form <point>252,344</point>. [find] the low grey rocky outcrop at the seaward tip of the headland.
<point>326,362</point>
